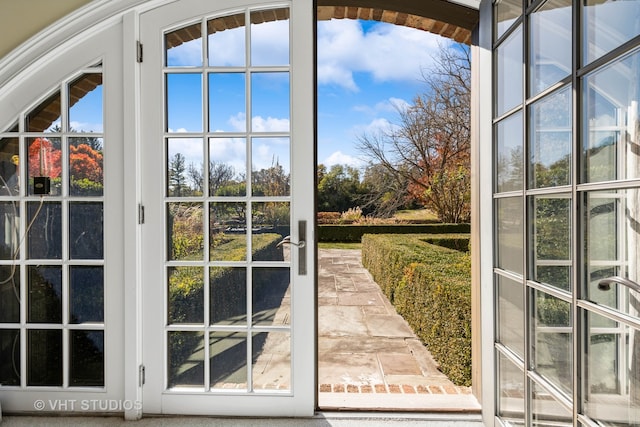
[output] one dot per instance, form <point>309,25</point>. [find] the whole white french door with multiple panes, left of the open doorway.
<point>227,190</point>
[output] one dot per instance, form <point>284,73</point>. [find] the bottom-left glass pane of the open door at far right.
<point>510,392</point>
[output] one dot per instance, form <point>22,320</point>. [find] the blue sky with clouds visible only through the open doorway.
<point>365,70</point>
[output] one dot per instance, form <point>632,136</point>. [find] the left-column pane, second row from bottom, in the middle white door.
<point>186,295</point>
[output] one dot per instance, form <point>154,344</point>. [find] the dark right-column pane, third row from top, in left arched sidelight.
<point>86,230</point>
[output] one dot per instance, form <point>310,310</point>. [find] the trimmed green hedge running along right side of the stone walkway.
<point>430,286</point>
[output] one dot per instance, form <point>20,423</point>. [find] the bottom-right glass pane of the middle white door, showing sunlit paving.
<point>271,361</point>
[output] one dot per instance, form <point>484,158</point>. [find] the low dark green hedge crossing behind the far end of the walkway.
<point>354,233</point>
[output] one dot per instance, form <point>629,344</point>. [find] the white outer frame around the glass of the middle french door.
<point>301,400</point>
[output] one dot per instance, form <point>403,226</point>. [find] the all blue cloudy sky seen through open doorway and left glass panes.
<point>366,70</point>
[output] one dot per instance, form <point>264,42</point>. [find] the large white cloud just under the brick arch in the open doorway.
<point>389,52</point>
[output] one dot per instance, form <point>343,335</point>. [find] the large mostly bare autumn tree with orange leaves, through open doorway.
<point>430,148</point>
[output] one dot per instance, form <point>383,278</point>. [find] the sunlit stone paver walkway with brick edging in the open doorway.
<point>368,356</point>
